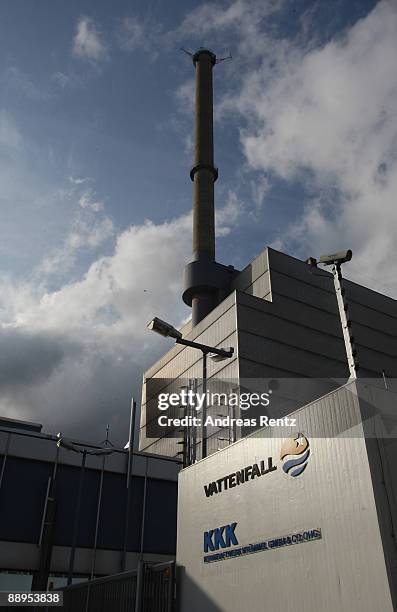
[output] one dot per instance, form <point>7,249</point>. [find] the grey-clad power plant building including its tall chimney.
<point>279,314</point>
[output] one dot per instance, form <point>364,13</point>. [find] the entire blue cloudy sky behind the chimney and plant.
<point>95,149</point>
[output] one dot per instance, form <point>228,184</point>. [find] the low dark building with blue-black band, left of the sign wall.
<point>40,521</point>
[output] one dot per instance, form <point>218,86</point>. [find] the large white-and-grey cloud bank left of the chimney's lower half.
<point>91,333</point>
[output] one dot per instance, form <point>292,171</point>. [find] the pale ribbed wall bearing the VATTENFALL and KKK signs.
<point>345,570</point>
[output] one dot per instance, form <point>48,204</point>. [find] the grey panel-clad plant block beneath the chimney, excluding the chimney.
<point>282,319</point>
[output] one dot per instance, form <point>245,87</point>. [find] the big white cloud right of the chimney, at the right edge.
<point>326,117</point>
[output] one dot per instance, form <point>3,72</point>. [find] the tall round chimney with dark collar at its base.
<point>205,281</point>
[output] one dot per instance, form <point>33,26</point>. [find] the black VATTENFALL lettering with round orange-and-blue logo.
<point>294,453</point>
